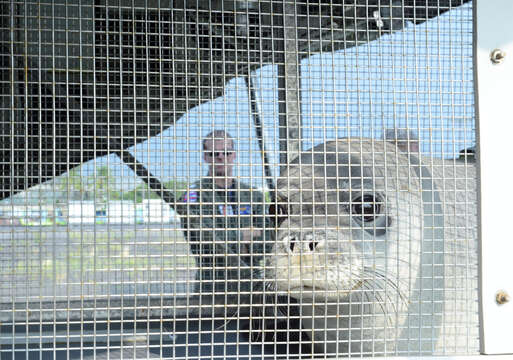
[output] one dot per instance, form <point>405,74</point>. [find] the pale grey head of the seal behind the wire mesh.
<point>349,237</point>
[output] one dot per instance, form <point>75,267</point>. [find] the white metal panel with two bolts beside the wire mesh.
<point>494,57</point>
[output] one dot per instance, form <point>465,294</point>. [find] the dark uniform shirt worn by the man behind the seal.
<point>213,225</point>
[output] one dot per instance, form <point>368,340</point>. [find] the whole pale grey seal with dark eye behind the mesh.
<point>378,248</point>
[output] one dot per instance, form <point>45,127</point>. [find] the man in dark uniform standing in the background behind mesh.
<point>225,221</point>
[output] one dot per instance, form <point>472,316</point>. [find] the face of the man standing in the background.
<point>219,155</point>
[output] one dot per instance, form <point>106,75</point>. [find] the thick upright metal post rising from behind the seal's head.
<point>289,85</point>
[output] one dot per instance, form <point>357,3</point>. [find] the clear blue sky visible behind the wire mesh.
<point>419,78</point>
